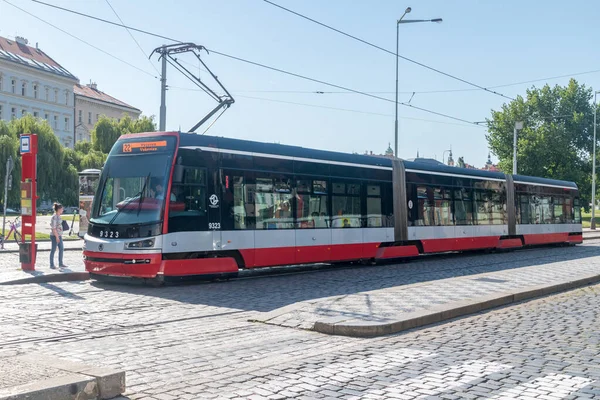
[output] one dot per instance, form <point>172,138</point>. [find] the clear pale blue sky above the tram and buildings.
<point>488,43</point>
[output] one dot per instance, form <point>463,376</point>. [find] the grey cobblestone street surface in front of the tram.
<point>196,341</point>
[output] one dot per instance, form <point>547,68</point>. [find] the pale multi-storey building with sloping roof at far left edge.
<point>33,83</point>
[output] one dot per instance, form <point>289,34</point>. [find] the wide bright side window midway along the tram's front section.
<point>273,203</point>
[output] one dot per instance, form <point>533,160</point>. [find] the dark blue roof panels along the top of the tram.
<point>190,139</point>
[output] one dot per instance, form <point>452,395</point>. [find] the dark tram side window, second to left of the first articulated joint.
<point>346,204</point>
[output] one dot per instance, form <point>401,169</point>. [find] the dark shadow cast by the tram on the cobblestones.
<point>266,293</point>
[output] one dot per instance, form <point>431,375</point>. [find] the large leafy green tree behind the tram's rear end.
<point>557,136</point>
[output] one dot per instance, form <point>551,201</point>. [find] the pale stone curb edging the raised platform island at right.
<point>347,326</point>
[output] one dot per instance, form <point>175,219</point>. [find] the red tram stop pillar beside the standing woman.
<point>28,194</point>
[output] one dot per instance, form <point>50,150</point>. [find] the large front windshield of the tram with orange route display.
<point>133,184</point>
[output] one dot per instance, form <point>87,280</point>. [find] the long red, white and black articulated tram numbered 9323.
<point>177,205</point>
